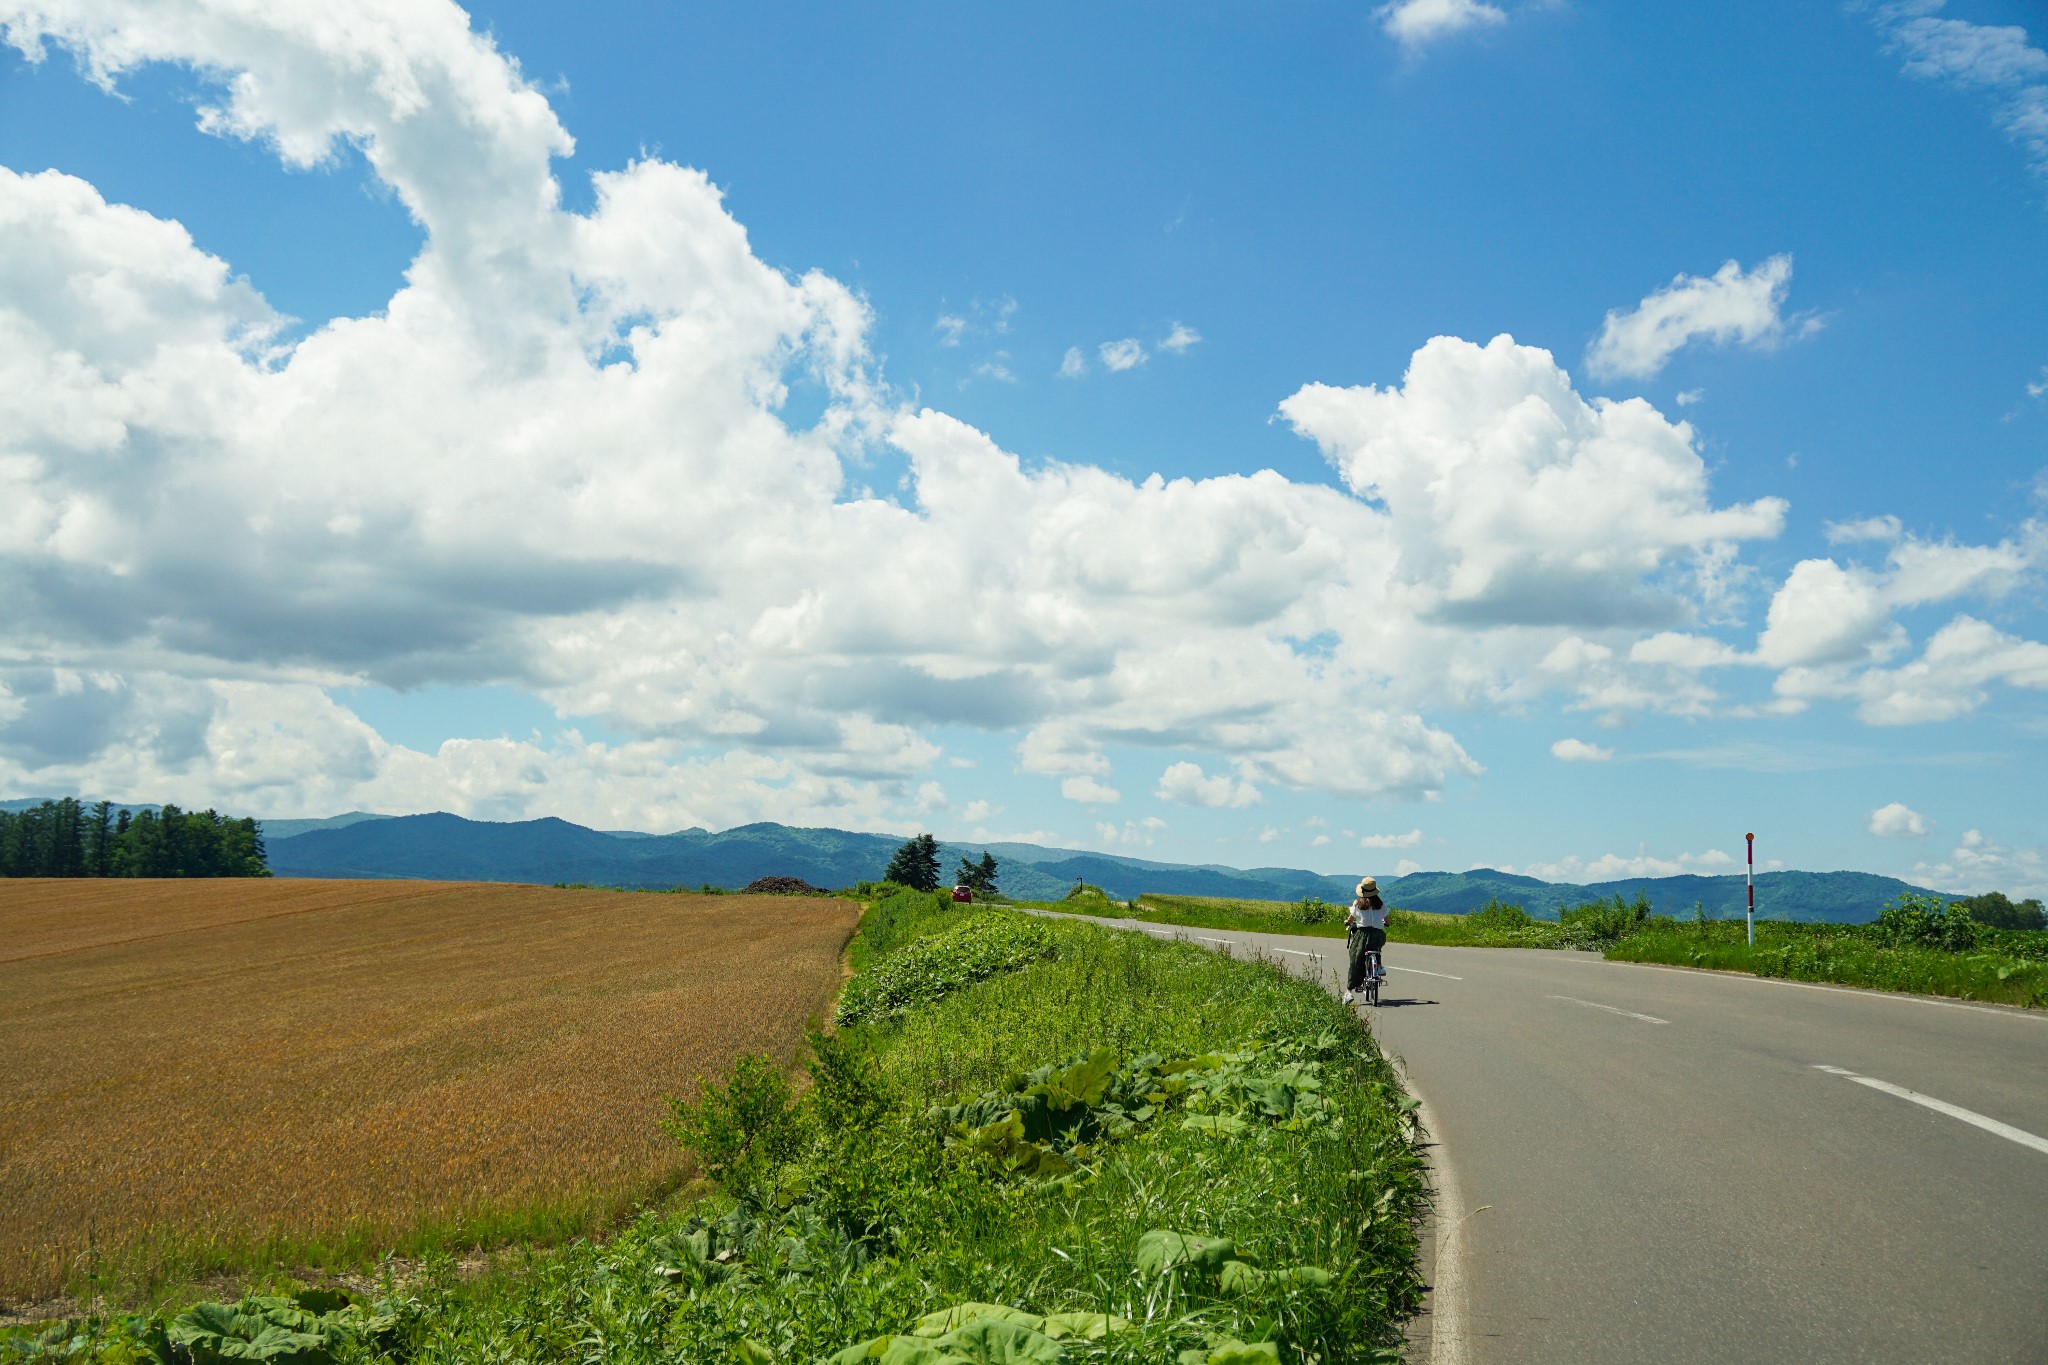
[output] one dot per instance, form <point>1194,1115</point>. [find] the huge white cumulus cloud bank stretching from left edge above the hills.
<point>564,457</point>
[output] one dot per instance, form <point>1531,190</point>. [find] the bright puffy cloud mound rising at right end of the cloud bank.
<point>1512,500</point>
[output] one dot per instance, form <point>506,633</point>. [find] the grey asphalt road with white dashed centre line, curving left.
<point>1662,1165</point>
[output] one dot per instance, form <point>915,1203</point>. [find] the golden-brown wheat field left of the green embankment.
<point>263,1063</point>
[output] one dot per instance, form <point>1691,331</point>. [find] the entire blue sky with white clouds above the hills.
<point>337,504</point>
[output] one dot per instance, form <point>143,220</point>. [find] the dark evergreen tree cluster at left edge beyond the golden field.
<point>67,838</point>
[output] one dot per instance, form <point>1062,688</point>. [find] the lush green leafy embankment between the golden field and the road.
<point>1029,1141</point>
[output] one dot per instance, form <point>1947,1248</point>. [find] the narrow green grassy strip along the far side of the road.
<point>1930,955</point>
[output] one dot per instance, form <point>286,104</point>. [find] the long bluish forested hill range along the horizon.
<point>454,848</point>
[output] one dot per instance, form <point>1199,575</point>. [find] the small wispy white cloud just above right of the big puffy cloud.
<point>1734,306</point>
